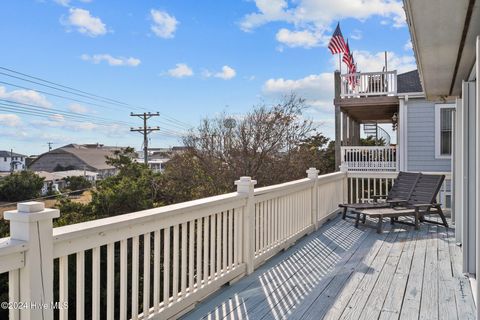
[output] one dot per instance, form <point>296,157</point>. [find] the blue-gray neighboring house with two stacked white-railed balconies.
<point>424,128</point>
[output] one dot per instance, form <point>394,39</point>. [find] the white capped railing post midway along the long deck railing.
<point>246,186</point>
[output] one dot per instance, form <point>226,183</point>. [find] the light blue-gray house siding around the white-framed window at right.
<point>421,138</point>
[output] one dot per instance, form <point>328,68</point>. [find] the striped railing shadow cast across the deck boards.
<point>285,282</point>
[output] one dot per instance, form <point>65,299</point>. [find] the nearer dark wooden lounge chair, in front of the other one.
<point>421,202</point>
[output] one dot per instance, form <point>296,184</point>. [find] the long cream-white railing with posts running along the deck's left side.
<point>158,262</point>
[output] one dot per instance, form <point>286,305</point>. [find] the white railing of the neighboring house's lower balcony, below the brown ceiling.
<point>377,158</point>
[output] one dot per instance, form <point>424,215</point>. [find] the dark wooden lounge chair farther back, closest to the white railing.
<point>401,190</point>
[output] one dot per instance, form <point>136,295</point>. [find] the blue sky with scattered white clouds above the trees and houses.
<point>185,59</point>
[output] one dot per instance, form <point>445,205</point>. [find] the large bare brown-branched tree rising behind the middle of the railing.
<point>255,145</point>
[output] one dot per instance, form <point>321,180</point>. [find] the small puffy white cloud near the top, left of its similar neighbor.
<point>85,23</point>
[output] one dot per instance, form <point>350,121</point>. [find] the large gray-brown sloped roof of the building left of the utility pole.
<point>76,157</point>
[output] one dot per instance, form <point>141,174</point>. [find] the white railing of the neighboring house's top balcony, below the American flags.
<point>365,84</point>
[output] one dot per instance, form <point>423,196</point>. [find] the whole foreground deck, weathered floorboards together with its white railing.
<point>273,247</point>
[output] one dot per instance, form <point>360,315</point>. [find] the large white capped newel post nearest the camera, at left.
<point>32,223</point>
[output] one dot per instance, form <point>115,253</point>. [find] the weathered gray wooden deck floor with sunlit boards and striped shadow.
<point>340,272</point>
